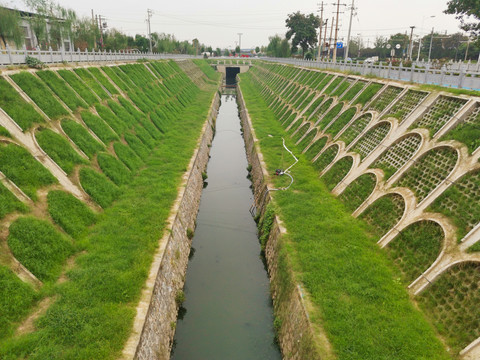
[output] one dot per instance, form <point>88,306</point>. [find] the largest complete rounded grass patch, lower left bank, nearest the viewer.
<point>39,247</point>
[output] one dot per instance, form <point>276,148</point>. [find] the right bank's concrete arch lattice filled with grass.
<point>412,172</point>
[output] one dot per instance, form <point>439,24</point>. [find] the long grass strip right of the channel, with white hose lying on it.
<point>364,308</point>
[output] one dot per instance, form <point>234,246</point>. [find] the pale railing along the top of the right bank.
<point>461,79</point>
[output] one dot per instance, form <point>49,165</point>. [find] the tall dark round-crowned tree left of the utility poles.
<point>303,30</point>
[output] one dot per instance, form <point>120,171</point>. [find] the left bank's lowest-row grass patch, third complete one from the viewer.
<point>97,185</point>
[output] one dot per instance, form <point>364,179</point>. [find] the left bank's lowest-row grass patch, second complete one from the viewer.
<point>69,213</point>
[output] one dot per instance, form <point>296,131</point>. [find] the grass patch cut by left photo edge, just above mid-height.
<point>27,173</point>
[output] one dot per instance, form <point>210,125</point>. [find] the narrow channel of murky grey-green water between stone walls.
<point>227,313</point>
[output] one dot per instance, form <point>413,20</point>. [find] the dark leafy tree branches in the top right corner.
<point>466,11</point>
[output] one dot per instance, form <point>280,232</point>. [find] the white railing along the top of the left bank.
<point>16,57</point>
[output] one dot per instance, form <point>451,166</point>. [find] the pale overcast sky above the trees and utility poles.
<point>217,22</point>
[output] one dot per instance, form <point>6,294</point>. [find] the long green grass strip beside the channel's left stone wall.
<point>93,316</point>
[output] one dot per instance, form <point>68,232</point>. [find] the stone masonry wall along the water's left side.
<point>154,326</point>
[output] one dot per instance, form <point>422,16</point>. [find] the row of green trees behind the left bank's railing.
<point>52,24</point>
